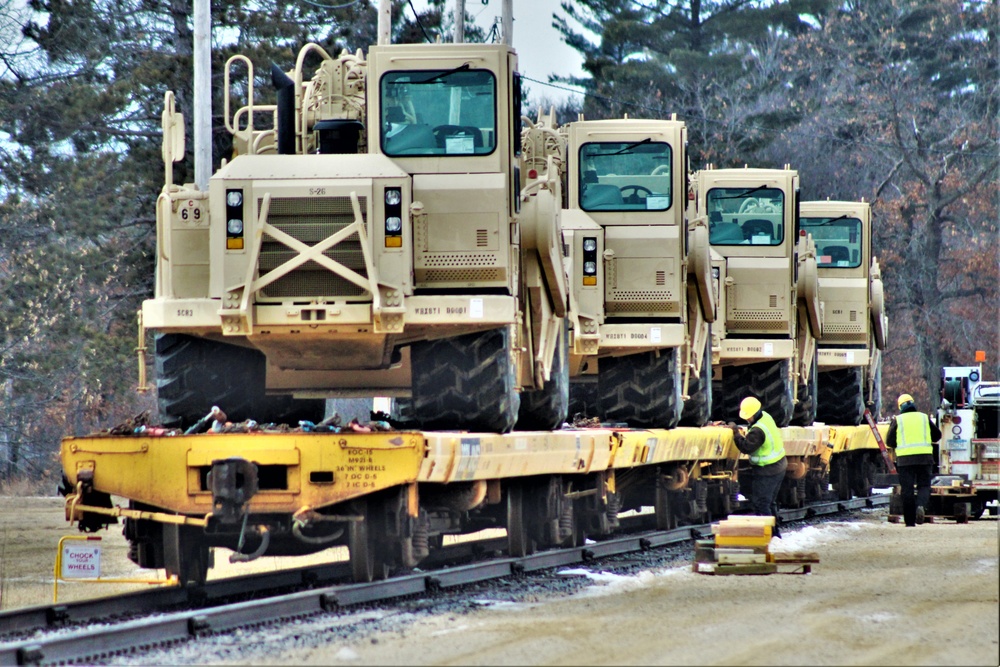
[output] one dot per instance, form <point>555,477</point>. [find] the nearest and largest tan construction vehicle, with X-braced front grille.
<point>372,235</point>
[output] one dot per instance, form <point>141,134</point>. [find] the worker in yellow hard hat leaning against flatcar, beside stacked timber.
<point>763,444</point>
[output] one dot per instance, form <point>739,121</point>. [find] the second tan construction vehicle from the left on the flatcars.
<point>640,278</point>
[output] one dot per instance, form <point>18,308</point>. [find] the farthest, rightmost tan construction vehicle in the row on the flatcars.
<point>849,357</point>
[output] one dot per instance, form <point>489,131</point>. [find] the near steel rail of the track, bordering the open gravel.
<point>97,643</point>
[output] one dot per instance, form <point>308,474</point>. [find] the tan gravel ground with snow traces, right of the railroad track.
<point>882,594</point>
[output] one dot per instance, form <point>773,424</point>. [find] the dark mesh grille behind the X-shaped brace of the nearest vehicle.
<point>310,221</point>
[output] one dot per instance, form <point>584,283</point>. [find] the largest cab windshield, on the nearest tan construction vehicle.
<point>438,112</point>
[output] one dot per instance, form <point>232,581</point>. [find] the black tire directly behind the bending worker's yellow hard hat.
<point>768,381</point>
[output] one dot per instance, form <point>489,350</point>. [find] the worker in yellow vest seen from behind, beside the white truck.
<point>912,434</point>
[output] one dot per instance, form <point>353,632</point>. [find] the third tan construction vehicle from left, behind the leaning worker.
<point>765,271</point>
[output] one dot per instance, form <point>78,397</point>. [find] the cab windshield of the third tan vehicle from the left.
<point>746,216</point>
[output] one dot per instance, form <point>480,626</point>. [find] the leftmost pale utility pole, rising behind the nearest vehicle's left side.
<point>202,116</point>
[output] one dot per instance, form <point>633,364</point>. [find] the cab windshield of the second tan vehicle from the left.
<point>625,176</point>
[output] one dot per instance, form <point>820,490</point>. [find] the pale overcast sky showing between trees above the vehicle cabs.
<point>540,49</point>
